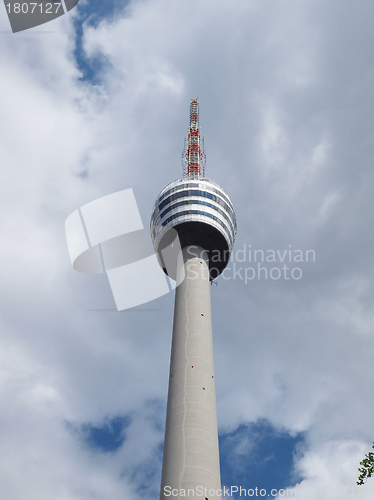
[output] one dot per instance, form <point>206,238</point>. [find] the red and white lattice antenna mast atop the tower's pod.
<point>193,155</point>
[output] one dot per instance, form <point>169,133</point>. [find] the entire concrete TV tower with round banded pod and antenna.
<point>202,214</point>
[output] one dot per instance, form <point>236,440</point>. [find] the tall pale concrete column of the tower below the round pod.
<point>191,456</point>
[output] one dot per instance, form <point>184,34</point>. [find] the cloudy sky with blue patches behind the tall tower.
<point>97,101</point>
